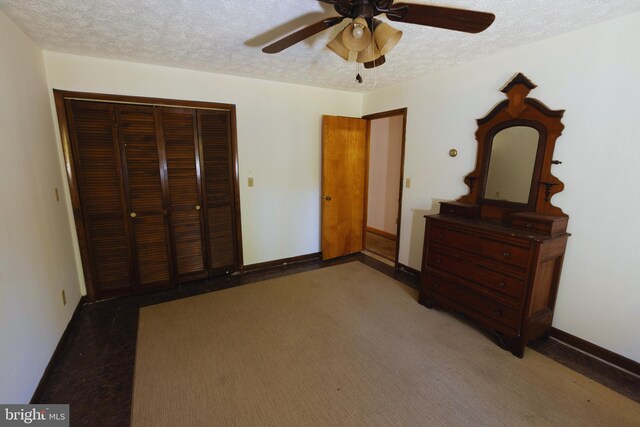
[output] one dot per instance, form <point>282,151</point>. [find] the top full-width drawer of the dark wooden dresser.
<point>503,251</point>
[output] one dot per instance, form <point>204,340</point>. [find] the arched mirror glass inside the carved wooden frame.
<point>513,158</point>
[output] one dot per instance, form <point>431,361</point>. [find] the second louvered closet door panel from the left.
<point>143,162</point>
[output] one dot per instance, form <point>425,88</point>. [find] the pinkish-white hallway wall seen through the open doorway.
<point>385,156</point>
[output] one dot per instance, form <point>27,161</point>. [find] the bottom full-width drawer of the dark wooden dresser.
<point>474,302</point>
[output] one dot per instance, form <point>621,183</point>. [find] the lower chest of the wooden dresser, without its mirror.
<point>503,276</point>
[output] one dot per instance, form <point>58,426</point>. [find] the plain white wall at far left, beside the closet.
<point>36,254</point>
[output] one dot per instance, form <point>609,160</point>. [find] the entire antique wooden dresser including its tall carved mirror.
<point>495,255</point>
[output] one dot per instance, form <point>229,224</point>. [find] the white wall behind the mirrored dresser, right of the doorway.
<point>594,74</point>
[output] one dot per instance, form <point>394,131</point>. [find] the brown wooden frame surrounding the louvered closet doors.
<point>61,97</point>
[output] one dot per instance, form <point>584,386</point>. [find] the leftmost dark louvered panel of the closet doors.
<point>95,147</point>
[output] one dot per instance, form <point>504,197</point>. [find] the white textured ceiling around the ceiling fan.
<point>225,36</point>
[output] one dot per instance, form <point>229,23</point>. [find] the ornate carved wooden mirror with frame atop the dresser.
<point>515,154</point>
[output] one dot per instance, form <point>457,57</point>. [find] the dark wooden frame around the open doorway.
<point>369,118</point>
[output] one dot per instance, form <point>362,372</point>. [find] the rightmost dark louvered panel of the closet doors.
<point>215,134</point>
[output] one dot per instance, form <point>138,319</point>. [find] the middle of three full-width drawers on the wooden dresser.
<point>461,264</point>
